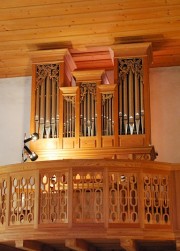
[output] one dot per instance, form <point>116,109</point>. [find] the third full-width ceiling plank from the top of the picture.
<point>86,30</point>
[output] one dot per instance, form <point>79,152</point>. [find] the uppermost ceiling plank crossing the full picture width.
<point>77,8</point>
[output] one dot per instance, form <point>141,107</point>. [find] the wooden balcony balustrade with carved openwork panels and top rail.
<point>105,192</point>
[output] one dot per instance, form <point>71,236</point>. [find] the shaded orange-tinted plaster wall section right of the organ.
<point>165,112</point>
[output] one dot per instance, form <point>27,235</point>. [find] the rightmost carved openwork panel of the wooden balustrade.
<point>156,199</point>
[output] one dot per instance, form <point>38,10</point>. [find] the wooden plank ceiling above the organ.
<point>80,25</point>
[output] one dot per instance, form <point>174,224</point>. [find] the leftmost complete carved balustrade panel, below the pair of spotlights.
<point>22,199</point>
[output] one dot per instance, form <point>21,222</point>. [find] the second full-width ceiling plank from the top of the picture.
<point>75,19</point>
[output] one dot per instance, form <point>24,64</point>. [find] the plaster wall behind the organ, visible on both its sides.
<point>165,115</point>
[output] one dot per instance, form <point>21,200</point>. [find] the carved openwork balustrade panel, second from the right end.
<point>123,198</point>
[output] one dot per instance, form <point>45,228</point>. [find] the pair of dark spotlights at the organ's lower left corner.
<point>27,153</point>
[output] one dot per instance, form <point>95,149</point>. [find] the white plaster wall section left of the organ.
<point>14,117</point>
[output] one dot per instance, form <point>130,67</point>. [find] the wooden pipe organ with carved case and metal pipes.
<point>83,113</point>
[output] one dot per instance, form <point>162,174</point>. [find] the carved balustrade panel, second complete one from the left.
<point>54,197</point>
